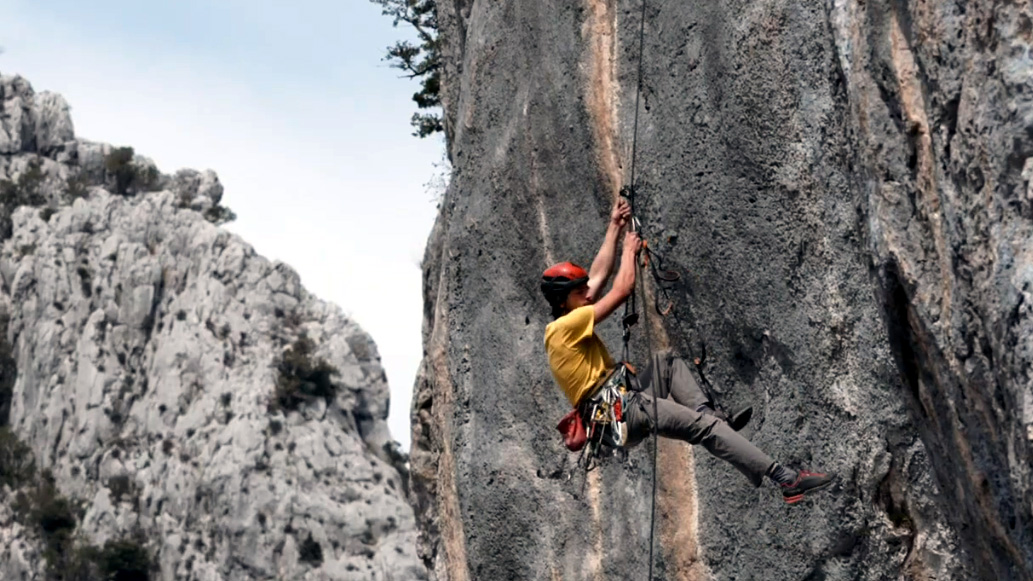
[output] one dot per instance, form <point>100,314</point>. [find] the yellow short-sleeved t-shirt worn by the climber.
<point>577,356</point>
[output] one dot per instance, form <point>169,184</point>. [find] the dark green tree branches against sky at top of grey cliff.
<point>421,60</point>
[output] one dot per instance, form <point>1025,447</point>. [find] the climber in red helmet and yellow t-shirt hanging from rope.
<point>581,365</point>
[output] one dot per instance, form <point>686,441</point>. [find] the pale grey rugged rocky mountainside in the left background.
<point>146,347</point>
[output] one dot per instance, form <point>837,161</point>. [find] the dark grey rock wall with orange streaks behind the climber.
<point>846,189</point>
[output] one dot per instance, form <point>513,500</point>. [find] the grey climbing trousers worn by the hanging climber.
<point>670,380</point>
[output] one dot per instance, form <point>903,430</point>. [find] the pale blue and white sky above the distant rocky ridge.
<point>293,107</point>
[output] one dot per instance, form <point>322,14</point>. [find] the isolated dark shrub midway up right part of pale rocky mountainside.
<point>301,379</point>
